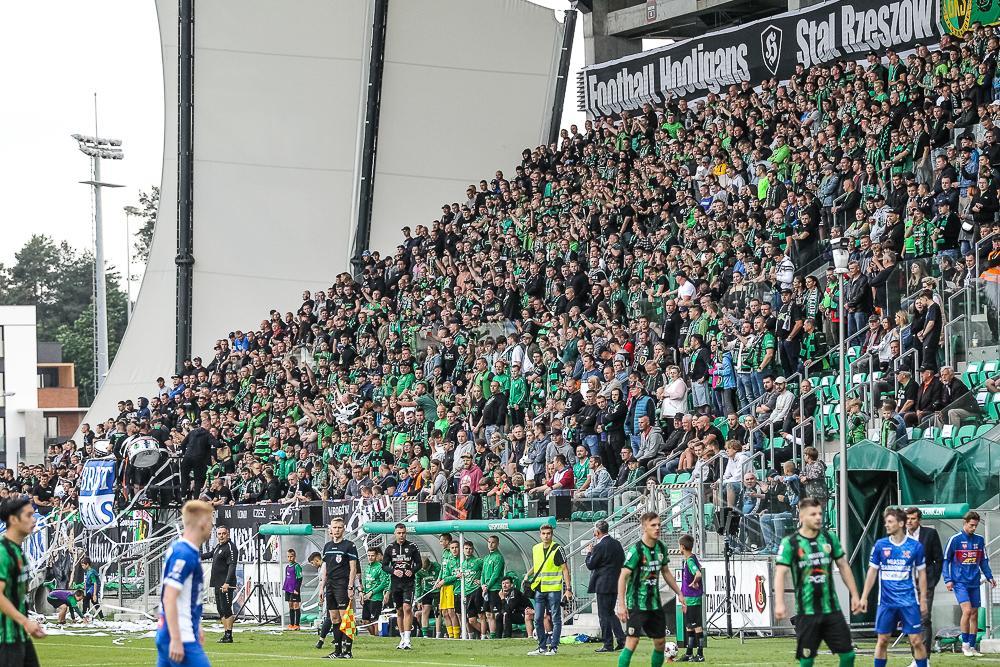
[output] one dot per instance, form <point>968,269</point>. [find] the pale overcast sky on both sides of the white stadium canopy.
<point>59,53</point>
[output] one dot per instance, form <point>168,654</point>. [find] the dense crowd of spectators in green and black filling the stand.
<point>565,328</point>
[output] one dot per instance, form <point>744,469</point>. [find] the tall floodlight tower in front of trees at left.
<point>97,149</point>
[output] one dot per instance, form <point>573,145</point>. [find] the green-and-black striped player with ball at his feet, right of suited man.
<point>639,603</point>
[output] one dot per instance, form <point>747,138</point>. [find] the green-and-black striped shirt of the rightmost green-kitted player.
<point>811,562</point>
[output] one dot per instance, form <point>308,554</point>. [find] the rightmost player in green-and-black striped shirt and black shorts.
<point>810,554</point>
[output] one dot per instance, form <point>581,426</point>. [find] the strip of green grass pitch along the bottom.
<point>290,649</point>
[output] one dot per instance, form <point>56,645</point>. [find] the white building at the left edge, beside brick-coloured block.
<point>22,424</point>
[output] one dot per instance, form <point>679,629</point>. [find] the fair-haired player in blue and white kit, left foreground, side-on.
<point>179,637</point>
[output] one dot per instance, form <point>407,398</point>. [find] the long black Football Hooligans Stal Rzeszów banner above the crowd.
<point>772,47</point>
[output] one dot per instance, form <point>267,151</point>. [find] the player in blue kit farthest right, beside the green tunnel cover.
<point>965,561</point>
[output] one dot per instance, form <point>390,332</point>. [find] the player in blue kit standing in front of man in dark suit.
<point>897,562</point>
